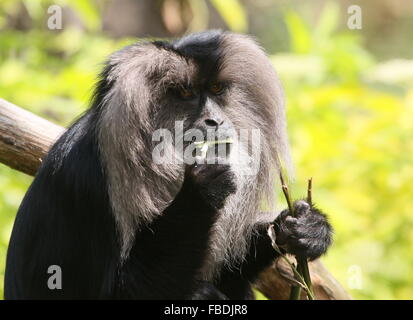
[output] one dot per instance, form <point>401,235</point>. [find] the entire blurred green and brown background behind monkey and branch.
<point>349,98</point>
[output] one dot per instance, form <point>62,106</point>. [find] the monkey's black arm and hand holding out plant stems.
<point>309,235</point>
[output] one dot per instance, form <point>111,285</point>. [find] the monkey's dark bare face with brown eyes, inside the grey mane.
<point>199,111</point>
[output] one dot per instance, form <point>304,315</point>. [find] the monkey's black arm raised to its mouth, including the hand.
<point>167,255</point>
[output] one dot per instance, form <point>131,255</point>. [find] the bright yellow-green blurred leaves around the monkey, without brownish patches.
<point>350,125</point>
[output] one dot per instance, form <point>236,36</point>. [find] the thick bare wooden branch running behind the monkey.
<point>26,138</point>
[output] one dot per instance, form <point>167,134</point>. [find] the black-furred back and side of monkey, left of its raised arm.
<point>65,219</point>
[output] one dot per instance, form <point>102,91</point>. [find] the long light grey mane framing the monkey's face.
<point>139,190</point>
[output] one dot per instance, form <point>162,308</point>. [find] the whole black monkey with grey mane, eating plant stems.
<point>119,225</point>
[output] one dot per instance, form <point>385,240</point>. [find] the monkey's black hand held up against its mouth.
<point>213,182</point>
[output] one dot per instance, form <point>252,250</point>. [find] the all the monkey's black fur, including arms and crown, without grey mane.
<point>66,219</point>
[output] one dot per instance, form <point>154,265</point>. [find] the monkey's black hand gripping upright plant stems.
<point>308,234</point>
